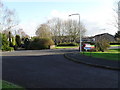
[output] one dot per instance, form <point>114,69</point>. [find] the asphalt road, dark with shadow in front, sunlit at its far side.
<point>49,69</point>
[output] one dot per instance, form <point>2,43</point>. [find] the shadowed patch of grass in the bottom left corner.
<point>8,85</point>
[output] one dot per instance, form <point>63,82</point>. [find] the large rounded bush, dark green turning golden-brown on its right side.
<point>40,43</point>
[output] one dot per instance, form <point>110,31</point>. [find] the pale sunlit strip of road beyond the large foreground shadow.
<point>38,52</point>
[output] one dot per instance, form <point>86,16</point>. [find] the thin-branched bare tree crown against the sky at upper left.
<point>7,18</point>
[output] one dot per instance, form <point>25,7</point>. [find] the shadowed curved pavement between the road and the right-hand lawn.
<point>96,62</point>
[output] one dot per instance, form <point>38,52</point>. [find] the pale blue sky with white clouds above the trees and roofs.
<point>96,15</point>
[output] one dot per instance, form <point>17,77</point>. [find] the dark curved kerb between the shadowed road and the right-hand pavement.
<point>90,64</point>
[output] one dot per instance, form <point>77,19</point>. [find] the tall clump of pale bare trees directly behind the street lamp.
<point>62,29</point>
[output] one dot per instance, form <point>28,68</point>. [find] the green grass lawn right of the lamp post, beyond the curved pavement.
<point>112,54</point>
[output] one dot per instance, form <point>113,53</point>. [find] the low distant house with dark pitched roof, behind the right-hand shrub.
<point>98,37</point>
